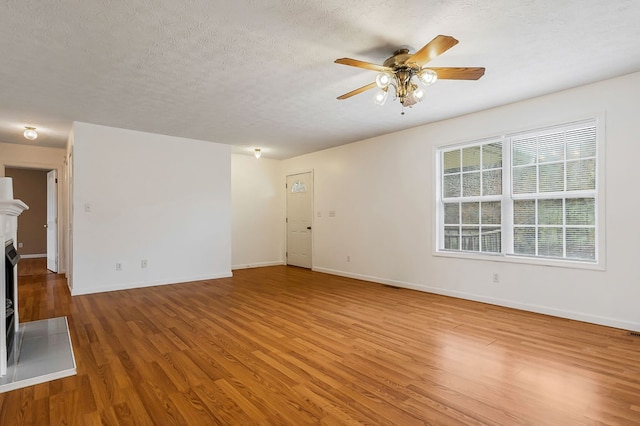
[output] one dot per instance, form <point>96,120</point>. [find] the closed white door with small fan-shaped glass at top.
<point>299,216</point>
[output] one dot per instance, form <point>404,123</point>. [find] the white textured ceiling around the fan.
<point>260,73</point>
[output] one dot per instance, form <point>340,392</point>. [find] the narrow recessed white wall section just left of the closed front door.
<point>257,200</point>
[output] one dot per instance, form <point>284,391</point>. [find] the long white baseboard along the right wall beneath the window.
<point>572,315</point>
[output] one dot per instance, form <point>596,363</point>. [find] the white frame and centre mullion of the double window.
<point>507,200</point>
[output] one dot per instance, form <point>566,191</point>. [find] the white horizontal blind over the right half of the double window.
<point>554,193</point>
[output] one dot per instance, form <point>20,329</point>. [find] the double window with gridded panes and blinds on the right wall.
<point>532,195</point>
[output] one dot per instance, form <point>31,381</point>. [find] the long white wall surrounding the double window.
<point>382,191</point>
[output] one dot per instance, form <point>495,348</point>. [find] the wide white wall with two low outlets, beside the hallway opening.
<point>160,198</point>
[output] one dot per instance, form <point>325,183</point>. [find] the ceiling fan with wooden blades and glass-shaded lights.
<point>406,72</point>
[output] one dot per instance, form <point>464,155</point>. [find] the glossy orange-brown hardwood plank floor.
<point>283,345</point>
